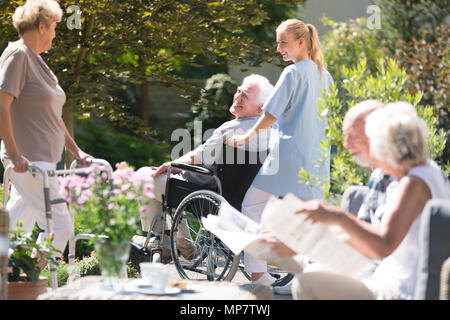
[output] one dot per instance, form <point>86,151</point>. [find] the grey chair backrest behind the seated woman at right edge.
<point>434,248</point>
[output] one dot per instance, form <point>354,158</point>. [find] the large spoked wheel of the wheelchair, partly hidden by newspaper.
<point>196,252</point>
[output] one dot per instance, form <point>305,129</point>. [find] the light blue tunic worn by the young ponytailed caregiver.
<point>297,134</point>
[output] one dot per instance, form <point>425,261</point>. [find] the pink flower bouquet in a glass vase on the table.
<point>110,211</point>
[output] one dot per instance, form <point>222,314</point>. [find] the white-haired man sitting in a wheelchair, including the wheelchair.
<point>193,186</point>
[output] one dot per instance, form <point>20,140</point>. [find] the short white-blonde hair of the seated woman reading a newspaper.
<point>397,134</point>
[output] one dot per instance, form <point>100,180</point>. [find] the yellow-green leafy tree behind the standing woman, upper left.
<point>126,42</point>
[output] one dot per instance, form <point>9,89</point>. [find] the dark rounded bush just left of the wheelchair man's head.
<point>212,108</point>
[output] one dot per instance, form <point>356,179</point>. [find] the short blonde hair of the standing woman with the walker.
<point>29,15</point>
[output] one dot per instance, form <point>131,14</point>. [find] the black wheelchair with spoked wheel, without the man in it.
<point>185,203</point>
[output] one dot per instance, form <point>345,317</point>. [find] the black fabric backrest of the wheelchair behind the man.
<point>237,172</point>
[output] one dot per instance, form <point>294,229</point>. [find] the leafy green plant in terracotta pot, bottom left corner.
<point>24,280</point>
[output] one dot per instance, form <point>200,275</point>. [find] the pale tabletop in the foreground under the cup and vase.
<point>89,288</point>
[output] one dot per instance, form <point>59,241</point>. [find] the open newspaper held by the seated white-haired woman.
<point>320,243</point>
